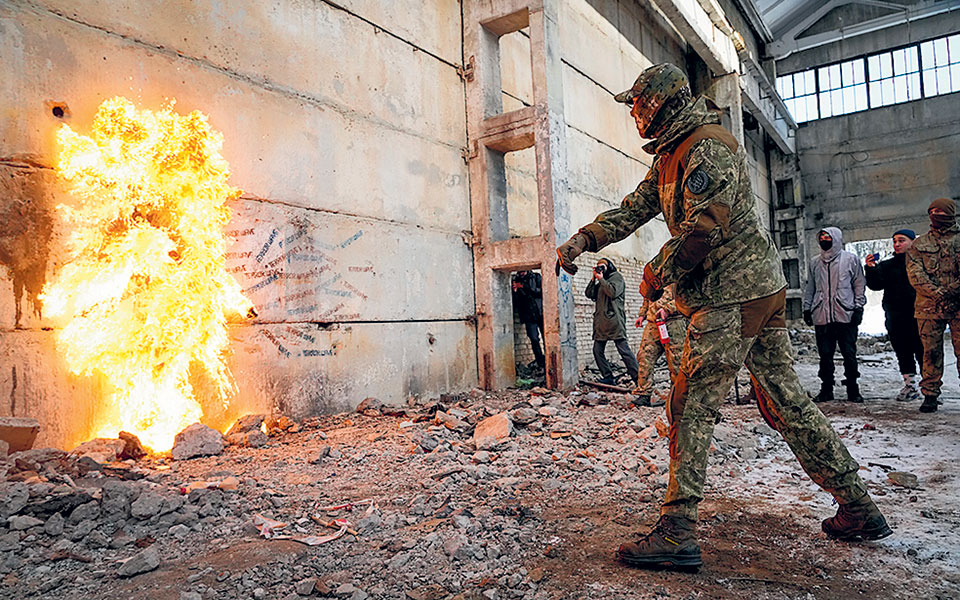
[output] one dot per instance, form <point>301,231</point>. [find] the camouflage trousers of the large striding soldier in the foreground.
<point>720,340</point>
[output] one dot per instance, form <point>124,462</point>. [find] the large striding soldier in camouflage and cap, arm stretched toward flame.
<point>729,281</point>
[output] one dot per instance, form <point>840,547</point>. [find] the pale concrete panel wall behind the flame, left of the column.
<point>347,238</point>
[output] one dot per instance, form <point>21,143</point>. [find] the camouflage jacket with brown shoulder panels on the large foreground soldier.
<point>719,253</point>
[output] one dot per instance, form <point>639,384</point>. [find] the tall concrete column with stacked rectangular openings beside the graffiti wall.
<point>492,133</point>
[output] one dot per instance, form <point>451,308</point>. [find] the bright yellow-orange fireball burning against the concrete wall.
<point>144,297</point>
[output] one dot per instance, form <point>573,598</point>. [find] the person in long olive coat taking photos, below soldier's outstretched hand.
<point>608,289</point>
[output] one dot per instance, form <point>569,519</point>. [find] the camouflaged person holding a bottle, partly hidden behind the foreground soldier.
<point>651,348</point>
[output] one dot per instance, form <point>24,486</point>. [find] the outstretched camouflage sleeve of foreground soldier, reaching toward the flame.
<point>637,208</point>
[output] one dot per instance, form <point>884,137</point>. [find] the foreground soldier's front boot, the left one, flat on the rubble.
<point>672,544</point>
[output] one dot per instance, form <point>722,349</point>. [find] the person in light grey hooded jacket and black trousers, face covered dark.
<point>833,303</point>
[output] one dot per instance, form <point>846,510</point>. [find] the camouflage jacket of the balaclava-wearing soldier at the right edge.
<point>933,270</point>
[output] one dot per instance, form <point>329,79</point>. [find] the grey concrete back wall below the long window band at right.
<point>873,172</point>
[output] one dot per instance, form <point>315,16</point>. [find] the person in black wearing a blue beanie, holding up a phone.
<point>898,297</point>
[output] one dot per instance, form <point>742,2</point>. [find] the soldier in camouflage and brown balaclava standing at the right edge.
<point>933,267</point>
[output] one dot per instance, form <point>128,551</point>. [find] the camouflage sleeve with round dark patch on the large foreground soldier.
<point>709,191</point>
